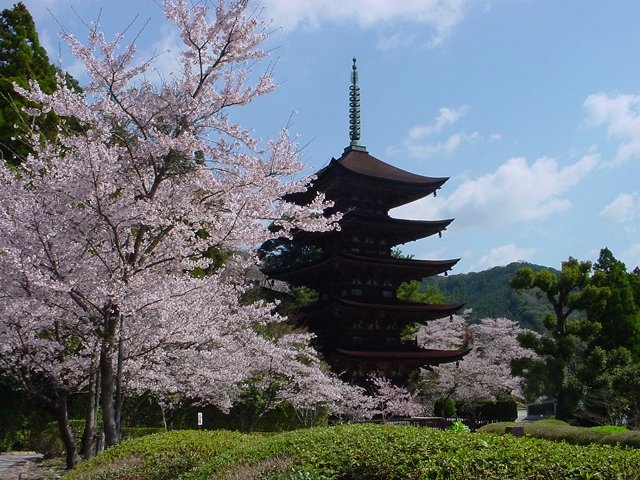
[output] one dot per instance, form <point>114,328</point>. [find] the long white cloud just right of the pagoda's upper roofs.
<point>515,192</point>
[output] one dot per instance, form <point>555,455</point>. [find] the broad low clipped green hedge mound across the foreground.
<point>355,452</point>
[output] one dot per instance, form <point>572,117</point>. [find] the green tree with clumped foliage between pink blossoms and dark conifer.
<point>566,335</point>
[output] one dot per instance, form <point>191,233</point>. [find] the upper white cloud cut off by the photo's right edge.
<point>621,116</point>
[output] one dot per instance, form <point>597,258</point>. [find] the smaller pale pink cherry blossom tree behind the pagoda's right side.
<point>485,372</point>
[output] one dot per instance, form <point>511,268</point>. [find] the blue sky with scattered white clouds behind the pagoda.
<point>531,107</point>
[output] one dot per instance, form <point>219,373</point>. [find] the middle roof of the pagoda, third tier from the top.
<point>407,268</point>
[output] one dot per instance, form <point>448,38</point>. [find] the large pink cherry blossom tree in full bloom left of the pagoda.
<point>125,241</point>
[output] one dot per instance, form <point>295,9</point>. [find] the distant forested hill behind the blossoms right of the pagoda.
<point>488,294</point>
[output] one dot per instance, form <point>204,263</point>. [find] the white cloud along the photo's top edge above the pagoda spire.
<point>441,15</point>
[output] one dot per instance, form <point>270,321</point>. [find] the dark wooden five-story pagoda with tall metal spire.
<point>358,320</point>
